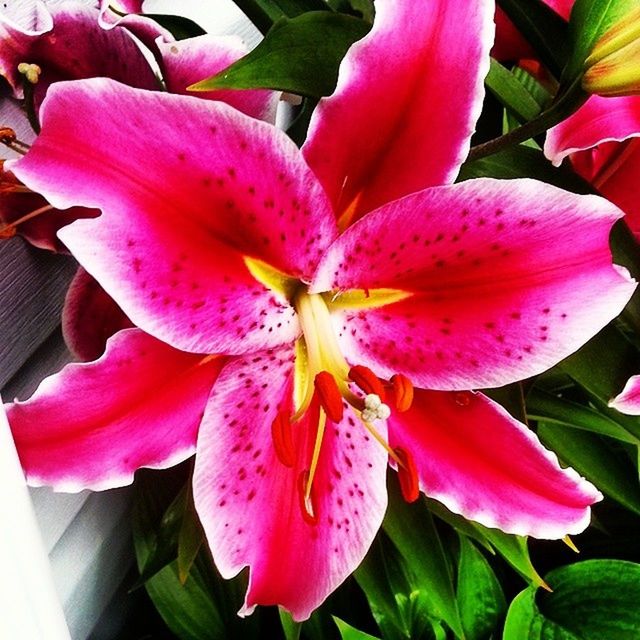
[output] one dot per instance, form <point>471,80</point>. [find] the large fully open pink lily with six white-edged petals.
<point>357,303</point>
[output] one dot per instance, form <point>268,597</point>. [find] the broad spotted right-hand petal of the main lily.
<point>508,277</point>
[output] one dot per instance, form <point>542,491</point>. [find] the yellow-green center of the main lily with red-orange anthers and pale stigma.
<point>325,383</point>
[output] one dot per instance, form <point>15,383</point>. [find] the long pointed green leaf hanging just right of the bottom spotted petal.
<point>412,530</point>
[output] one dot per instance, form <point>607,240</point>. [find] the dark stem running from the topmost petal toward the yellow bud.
<point>568,102</point>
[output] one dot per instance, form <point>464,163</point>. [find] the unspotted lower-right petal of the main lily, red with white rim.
<point>480,462</point>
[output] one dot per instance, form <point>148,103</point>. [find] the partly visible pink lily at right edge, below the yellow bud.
<point>601,141</point>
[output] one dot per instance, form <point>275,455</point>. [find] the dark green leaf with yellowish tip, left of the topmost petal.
<point>299,55</point>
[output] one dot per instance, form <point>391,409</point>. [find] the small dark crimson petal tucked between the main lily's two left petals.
<point>90,317</point>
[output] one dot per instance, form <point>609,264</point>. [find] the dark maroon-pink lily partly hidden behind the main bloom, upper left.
<point>66,42</point>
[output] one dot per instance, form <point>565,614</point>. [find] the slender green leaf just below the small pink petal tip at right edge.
<point>556,410</point>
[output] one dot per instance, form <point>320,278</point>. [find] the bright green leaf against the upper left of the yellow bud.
<point>590,19</point>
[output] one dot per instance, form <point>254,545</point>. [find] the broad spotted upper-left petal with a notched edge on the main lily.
<point>188,188</point>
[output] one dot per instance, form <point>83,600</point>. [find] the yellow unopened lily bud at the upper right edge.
<point>613,68</point>
